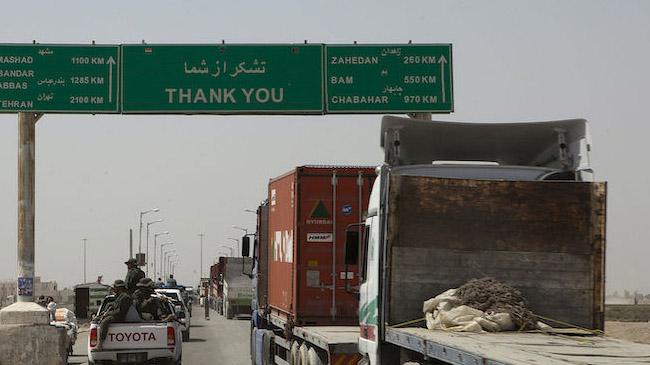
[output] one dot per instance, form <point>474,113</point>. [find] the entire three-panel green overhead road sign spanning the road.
<point>226,79</point>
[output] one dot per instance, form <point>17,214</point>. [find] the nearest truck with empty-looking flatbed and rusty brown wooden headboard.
<point>516,202</point>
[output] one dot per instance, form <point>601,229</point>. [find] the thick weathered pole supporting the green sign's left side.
<point>26,209</point>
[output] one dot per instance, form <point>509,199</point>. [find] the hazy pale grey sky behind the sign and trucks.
<point>513,61</point>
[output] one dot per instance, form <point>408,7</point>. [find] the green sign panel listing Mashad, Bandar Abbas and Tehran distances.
<point>59,78</point>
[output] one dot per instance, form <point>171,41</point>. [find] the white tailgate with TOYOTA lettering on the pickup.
<point>127,336</point>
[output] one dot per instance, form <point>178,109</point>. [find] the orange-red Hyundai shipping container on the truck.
<point>309,211</point>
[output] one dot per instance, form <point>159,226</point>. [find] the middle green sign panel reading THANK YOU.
<point>223,79</point>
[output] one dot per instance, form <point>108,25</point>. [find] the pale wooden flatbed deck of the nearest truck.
<point>508,348</point>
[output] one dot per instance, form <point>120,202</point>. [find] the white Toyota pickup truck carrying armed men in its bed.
<point>136,340</point>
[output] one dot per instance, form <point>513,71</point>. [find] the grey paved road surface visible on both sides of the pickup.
<point>217,341</point>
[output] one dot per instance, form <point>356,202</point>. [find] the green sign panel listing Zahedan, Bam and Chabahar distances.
<point>397,78</point>
